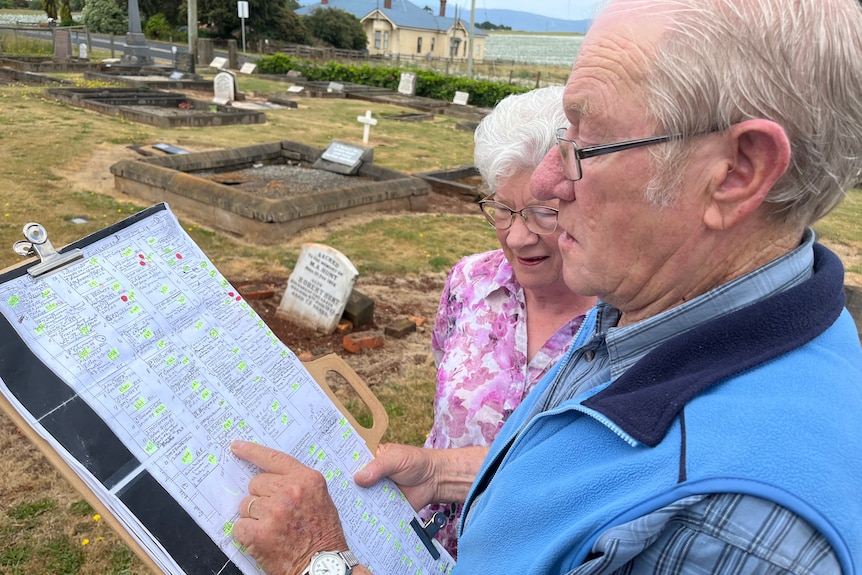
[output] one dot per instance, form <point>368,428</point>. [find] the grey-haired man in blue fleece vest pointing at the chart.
<point>706,419</point>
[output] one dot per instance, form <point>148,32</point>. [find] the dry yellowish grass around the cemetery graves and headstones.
<point>54,162</point>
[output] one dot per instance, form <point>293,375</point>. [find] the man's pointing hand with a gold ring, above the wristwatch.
<point>288,515</point>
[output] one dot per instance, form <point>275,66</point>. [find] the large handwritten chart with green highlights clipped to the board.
<point>140,364</point>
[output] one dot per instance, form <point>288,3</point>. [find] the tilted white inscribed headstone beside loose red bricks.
<point>318,288</point>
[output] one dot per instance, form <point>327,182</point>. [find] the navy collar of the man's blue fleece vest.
<point>646,399</point>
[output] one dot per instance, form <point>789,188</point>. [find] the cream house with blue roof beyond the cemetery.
<point>397,28</point>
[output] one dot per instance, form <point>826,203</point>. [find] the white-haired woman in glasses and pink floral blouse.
<point>505,316</point>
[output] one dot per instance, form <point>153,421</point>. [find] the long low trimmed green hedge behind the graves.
<point>428,84</point>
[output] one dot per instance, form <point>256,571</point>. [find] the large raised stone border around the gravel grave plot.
<point>258,219</point>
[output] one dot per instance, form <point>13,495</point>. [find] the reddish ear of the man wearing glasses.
<point>759,155</point>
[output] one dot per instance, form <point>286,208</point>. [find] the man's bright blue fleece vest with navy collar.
<point>765,401</point>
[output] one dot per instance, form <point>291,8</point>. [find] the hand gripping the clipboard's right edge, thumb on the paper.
<point>425,475</point>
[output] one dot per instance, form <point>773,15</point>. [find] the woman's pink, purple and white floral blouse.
<point>479,342</point>
